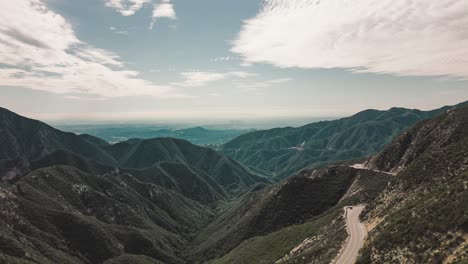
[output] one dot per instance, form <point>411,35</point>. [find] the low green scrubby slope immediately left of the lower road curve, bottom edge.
<point>274,246</point>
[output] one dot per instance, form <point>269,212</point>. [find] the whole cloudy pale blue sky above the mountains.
<point>127,60</point>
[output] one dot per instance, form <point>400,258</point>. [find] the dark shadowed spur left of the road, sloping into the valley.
<point>294,202</point>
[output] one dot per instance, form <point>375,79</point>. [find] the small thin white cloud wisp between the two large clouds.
<point>200,78</point>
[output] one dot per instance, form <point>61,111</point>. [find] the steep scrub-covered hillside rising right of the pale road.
<point>426,207</point>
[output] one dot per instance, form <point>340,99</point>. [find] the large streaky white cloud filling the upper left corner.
<point>39,50</point>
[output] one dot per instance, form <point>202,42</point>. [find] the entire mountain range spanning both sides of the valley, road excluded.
<point>67,198</point>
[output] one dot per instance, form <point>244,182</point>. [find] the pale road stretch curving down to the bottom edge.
<point>357,233</point>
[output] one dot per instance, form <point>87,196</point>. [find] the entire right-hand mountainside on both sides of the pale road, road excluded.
<point>416,216</point>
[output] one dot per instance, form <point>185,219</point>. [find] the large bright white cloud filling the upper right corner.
<point>400,37</point>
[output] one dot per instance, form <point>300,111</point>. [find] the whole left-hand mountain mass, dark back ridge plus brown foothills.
<point>69,198</point>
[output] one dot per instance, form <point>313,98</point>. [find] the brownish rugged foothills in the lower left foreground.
<point>62,215</point>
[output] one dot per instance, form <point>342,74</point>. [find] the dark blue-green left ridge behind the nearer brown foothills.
<point>199,173</point>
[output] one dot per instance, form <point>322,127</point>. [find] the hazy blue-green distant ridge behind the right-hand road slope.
<point>282,152</point>
